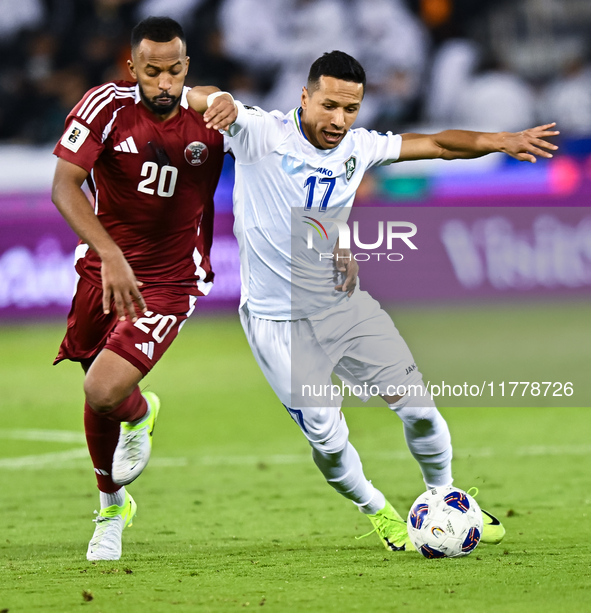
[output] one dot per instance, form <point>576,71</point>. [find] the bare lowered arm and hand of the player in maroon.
<point>119,282</point>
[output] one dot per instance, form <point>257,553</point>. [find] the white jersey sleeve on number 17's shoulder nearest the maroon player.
<point>254,134</point>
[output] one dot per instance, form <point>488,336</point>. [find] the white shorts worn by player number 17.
<point>357,340</point>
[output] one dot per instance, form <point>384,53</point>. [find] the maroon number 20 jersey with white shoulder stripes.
<point>153,183</point>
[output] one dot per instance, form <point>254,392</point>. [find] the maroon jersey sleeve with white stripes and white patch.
<point>82,141</point>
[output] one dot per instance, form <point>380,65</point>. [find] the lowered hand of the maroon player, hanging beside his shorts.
<point>121,287</point>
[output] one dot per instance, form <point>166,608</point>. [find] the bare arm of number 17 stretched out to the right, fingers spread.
<point>525,146</point>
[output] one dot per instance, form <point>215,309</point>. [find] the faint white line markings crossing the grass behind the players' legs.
<point>72,458</point>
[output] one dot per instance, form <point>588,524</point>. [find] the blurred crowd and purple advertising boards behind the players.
<point>432,64</point>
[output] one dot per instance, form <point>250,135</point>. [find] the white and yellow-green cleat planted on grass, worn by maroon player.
<point>105,543</point>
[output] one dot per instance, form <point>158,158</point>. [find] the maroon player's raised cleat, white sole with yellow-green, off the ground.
<point>135,444</point>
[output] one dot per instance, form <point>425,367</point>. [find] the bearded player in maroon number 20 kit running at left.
<point>143,259</point>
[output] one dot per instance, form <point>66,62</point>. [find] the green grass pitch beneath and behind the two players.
<point>233,515</point>
